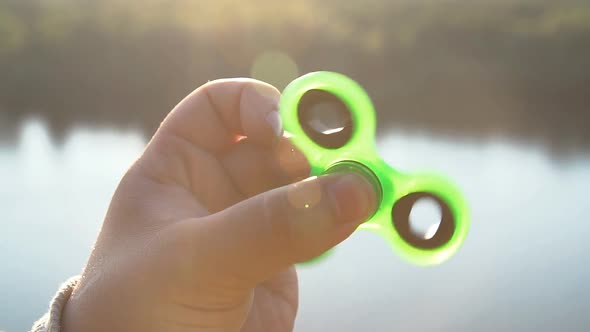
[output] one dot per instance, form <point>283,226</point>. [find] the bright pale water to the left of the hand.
<point>52,202</point>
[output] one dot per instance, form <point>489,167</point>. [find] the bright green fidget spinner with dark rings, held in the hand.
<point>352,148</point>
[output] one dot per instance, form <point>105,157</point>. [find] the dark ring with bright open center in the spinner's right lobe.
<point>423,220</point>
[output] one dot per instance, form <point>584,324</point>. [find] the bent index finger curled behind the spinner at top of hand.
<point>217,114</point>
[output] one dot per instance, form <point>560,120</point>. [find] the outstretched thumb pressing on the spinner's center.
<point>258,237</point>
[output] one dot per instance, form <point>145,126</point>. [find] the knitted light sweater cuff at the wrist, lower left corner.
<point>51,321</point>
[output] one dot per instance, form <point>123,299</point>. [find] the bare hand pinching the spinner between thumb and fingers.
<point>203,230</point>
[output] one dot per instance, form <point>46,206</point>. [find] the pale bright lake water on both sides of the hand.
<point>524,266</point>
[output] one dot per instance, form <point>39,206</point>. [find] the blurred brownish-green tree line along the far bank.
<point>519,68</point>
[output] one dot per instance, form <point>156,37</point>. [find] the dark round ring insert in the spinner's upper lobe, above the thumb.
<point>325,119</point>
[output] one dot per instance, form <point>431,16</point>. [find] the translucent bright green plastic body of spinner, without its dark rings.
<point>360,153</point>
